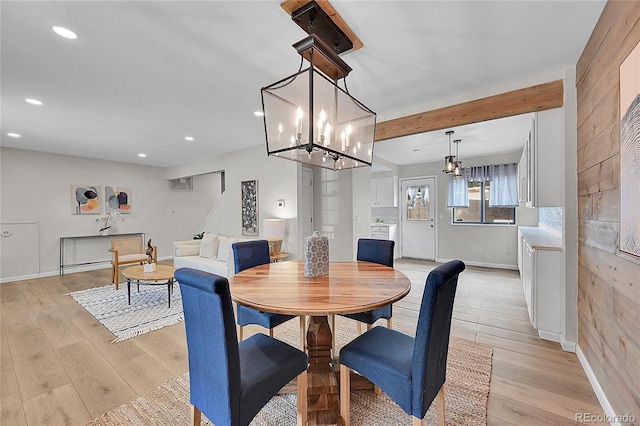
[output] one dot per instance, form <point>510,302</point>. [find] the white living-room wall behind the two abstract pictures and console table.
<point>36,187</point>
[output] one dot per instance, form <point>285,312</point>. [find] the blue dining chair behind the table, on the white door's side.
<point>375,251</point>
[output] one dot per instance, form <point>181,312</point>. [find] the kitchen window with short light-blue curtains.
<point>491,194</point>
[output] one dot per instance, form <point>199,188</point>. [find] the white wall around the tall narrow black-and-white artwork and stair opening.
<point>277,179</point>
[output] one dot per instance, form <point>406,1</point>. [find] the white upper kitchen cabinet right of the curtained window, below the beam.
<point>541,165</point>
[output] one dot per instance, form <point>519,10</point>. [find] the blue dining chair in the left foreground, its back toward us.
<point>230,382</point>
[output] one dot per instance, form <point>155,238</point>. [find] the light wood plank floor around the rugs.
<point>58,367</point>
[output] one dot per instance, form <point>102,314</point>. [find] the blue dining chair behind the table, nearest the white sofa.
<point>246,255</point>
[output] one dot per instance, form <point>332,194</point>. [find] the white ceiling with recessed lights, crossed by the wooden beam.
<point>142,75</point>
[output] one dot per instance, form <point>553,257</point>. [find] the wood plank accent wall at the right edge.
<point>608,282</point>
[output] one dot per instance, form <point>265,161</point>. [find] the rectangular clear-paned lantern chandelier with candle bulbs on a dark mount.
<point>307,117</point>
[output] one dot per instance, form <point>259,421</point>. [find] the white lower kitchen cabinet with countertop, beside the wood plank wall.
<point>542,273</point>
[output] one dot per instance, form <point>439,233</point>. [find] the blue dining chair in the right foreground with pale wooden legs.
<point>411,371</point>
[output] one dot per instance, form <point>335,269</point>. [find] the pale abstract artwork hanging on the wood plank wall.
<point>630,153</point>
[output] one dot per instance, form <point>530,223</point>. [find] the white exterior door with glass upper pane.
<point>418,199</point>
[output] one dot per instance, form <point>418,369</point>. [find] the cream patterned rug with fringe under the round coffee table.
<point>148,310</point>
